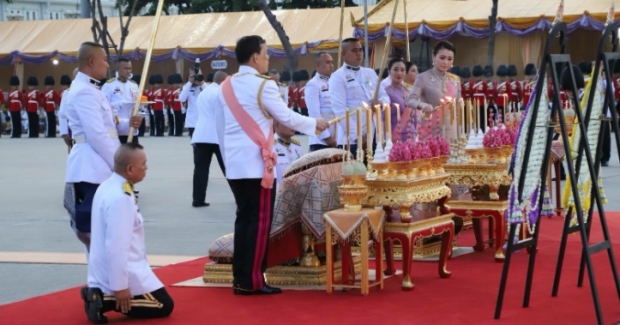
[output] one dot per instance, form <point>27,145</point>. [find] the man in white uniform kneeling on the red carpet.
<point>119,276</point>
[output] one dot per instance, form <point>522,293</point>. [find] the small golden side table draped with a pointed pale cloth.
<point>345,225</point>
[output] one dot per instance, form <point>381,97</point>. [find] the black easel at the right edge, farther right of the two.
<point>608,60</point>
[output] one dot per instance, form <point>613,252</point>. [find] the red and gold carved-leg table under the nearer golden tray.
<point>424,224</point>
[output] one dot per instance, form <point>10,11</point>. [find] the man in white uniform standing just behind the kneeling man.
<point>91,121</point>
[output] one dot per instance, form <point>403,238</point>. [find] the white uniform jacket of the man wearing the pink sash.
<point>242,157</point>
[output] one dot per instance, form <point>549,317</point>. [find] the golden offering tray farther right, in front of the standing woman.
<point>479,174</point>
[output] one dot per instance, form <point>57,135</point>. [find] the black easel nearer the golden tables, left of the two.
<point>555,63</point>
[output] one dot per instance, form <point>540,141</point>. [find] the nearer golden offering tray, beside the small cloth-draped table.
<point>406,193</point>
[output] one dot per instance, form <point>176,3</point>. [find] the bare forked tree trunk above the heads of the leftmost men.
<point>99,27</point>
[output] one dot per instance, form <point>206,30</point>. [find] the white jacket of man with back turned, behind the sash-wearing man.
<point>205,131</point>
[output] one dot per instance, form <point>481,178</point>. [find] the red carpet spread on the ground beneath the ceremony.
<point>468,297</point>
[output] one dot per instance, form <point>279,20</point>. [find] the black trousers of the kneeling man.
<point>156,304</point>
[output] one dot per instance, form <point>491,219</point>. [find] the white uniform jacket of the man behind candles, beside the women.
<point>348,89</point>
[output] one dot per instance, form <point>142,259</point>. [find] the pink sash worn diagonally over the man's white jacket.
<point>253,131</point>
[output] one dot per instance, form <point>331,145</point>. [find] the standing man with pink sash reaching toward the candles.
<point>249,102</point>
